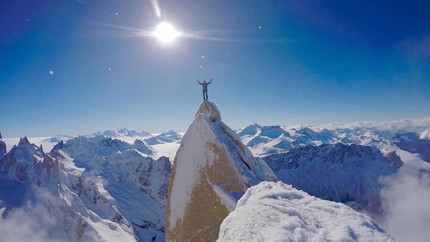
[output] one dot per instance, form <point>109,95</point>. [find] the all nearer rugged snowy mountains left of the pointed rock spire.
<point>94,188</point>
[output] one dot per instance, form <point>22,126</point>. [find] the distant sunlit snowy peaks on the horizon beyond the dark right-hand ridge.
<point>266,140</point>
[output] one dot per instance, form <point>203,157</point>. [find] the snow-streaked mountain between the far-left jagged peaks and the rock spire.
<point>107,171</point>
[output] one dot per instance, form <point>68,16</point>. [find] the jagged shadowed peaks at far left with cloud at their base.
<point>34,185</point>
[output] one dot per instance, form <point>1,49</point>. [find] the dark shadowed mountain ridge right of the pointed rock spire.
<point>340,173</point>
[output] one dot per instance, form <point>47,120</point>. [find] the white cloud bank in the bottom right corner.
<point>406,205</point>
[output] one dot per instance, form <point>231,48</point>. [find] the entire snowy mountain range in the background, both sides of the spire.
<point>112,185</point>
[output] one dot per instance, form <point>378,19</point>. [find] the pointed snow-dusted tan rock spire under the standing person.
<point>210,167</point>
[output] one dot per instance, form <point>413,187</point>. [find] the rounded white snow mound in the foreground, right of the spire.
<point>277,212</point>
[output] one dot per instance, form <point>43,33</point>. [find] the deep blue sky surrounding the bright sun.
<point>273,62</point>
